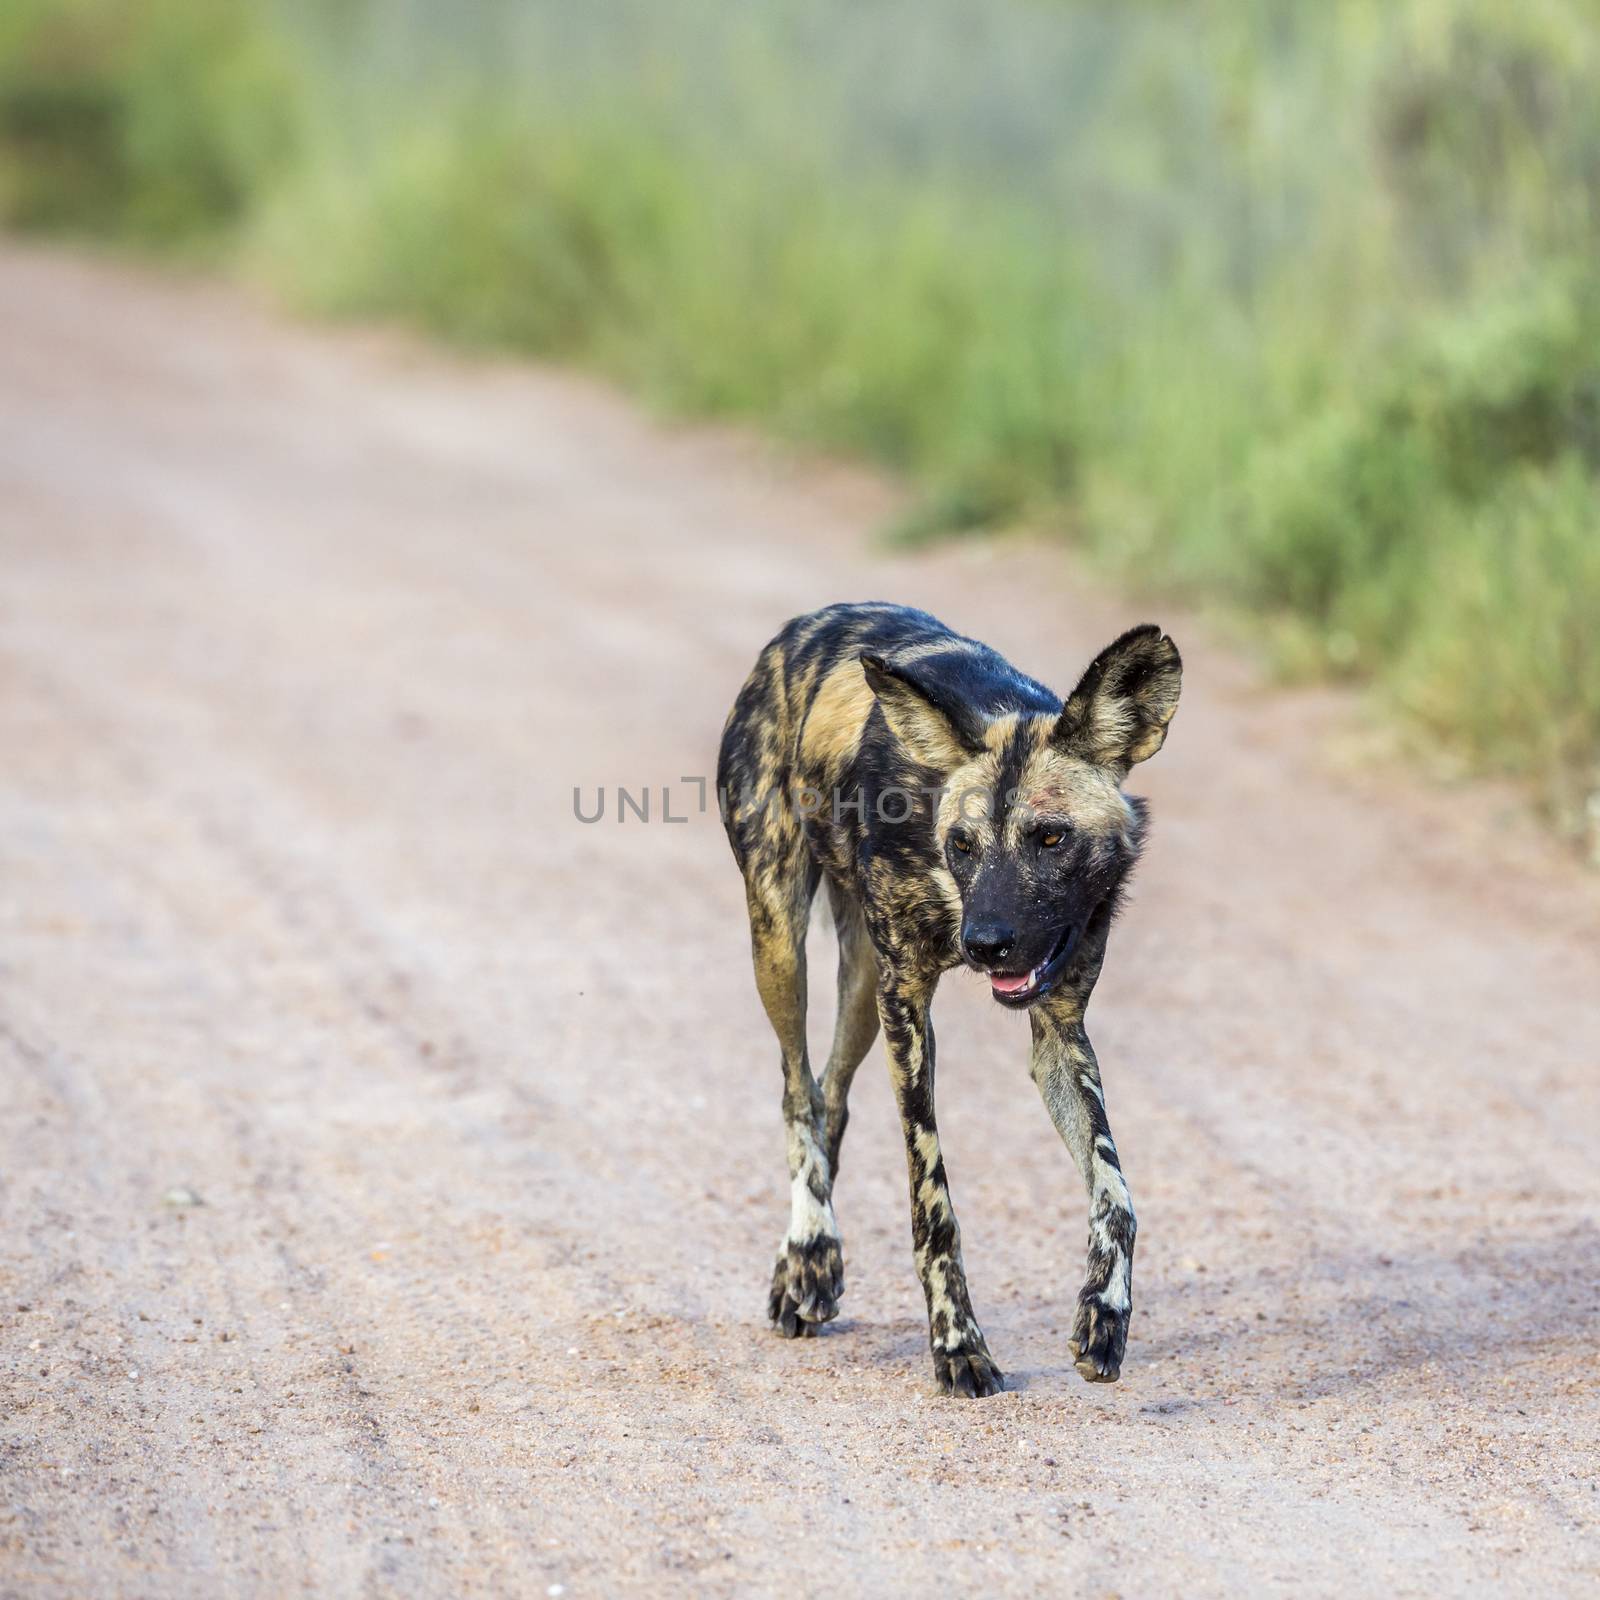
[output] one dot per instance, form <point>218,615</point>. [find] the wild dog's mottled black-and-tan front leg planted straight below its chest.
<point>961,1359</point>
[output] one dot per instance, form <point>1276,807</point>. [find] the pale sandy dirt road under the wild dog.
<point>305,642</point>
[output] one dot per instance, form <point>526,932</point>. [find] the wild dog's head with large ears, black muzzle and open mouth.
<point>1033,823</point>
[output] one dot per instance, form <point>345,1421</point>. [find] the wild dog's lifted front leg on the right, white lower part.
<point>1068,1078</point>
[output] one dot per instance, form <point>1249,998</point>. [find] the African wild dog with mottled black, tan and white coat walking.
<point>959,814</point>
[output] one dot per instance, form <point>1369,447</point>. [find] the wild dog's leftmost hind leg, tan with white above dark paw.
<point>809,1276</point>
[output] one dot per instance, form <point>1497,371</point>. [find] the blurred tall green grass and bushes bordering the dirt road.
<point>1290,308</point>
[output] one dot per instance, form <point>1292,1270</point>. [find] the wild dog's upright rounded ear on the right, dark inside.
<point>1119,713</point>
